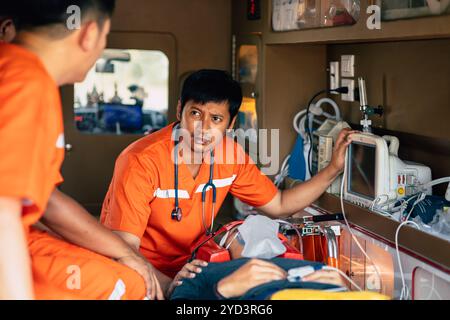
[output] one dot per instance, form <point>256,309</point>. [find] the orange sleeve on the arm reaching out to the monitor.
<point>251,185</point>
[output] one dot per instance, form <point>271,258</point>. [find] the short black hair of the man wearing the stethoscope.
<point>216,86</point>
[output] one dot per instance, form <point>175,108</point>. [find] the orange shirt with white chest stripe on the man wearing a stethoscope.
<point>141,196</point>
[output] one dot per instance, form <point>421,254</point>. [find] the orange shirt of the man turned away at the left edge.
<point>31,131</point>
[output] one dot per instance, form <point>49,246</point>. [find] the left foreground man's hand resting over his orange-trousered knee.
<point>147,271</point>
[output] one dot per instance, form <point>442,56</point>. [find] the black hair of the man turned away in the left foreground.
<point>32,14</point>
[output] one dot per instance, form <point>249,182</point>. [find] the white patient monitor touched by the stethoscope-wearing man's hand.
<point>376,173</point>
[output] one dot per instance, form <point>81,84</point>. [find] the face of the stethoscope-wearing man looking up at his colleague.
<point>206,124</point>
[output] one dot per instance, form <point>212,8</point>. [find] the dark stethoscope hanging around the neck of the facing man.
<point>177,213</point>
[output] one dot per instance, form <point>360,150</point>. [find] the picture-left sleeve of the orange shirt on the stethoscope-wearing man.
<point>127,205</point>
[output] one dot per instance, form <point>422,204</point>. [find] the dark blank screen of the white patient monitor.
<point>361,179</point>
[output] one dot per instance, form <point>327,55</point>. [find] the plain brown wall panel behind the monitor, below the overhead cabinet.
<point>411,79</point>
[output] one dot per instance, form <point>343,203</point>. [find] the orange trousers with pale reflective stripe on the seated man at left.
<point>63,271</point>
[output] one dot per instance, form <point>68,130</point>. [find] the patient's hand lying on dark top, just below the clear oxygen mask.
<point>250,275</point>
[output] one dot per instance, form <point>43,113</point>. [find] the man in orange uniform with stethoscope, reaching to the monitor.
<point>149,191</point>
